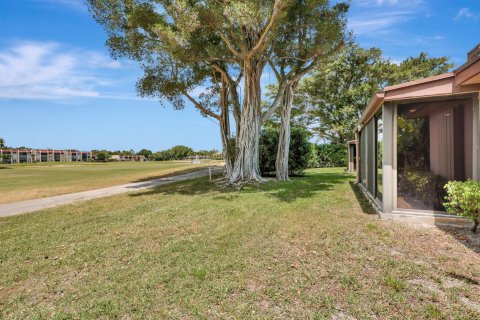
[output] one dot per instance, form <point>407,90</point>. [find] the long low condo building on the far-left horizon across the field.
<point>37,155</point>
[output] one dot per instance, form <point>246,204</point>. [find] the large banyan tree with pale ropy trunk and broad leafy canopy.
<point>188,44</point>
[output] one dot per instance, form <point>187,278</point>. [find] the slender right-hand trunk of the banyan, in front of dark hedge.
<point>281,163</point>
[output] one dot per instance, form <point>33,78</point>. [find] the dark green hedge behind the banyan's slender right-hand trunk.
<point>299,151</point>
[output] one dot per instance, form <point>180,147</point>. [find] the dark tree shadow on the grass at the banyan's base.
<point>288,191</point>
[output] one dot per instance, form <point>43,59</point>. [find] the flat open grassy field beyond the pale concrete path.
<point>37,180</point>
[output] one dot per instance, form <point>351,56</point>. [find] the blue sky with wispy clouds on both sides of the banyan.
<point>60,89</point>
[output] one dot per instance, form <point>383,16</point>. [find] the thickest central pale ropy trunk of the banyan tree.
<point>247,168</point>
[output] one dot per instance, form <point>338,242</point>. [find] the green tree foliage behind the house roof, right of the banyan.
<point>337,93</point>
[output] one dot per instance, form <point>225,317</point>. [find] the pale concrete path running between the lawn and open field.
<point>14,208</point>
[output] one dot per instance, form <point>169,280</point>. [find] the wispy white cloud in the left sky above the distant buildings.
<point>45,70</point>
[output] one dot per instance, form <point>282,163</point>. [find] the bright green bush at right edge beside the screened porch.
<point>463,199</point>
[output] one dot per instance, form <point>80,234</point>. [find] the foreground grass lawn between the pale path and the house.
<point>199,250</point>
